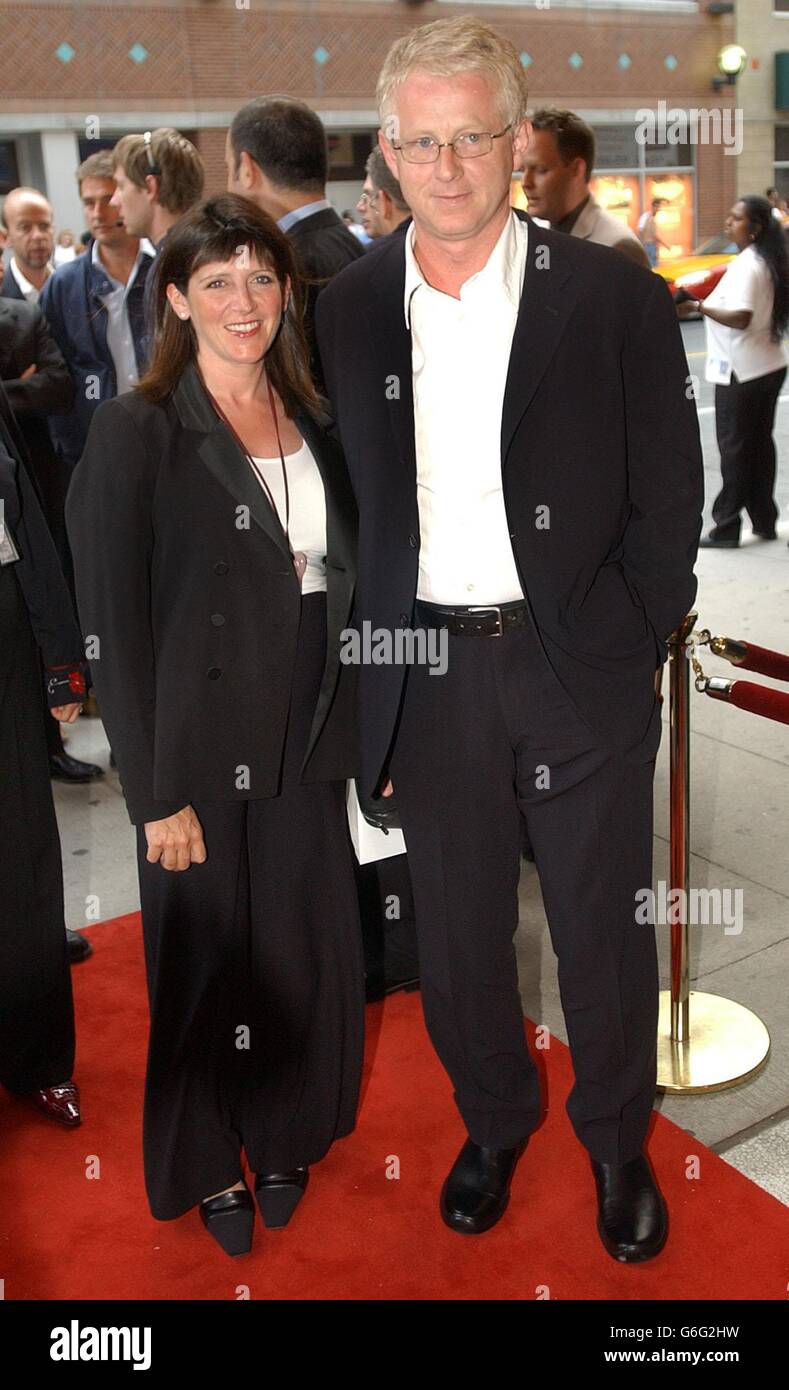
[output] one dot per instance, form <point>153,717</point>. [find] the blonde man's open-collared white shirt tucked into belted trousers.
<point>460,354</point>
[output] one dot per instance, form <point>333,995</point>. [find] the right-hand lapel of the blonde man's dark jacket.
<point>547,305</point>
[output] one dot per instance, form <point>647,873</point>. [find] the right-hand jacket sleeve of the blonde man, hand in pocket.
<point>666,476</point>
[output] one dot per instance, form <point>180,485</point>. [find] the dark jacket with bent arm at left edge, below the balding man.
<point>26,340</point>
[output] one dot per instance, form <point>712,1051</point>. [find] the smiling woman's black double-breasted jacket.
<point>184,576</point>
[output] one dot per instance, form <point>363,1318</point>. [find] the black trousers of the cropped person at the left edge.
<point>37,1013</point>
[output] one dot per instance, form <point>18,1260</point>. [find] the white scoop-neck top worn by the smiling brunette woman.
<point>308,526</point>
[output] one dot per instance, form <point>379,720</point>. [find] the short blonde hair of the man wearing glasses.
<point>447,48</point>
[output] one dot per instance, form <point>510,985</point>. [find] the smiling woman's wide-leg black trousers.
<point>256,979</point>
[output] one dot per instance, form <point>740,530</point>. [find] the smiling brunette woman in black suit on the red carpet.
<point>215,536</point>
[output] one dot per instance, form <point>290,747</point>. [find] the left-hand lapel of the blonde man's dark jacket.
<point>392,343</point>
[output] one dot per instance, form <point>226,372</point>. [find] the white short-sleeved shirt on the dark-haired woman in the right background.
<point>749,352</point>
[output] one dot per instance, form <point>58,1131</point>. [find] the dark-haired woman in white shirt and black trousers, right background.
<point>747,318</point>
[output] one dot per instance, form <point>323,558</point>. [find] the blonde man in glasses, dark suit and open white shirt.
<point>527,466</point>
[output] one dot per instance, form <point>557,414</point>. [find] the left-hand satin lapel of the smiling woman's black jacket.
<point>224,459</point>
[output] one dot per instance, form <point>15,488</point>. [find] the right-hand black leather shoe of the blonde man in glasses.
<point>633,1218</point>
